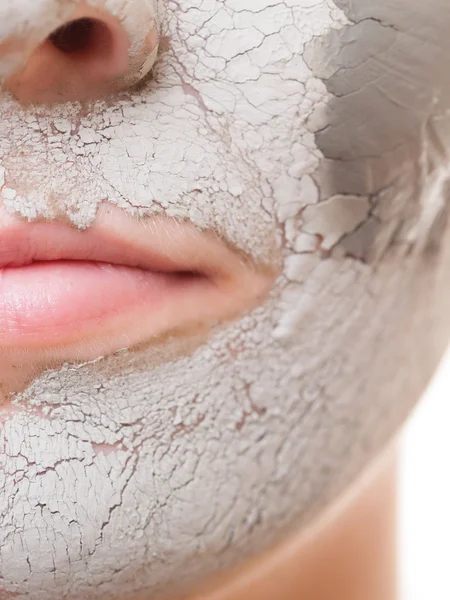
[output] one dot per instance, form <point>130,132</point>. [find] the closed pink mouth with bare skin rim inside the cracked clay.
<point>120,283</point>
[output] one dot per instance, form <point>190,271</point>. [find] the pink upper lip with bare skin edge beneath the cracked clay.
<point>157,244</point>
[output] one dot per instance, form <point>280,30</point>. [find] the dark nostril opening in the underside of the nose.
<point>78,36</point>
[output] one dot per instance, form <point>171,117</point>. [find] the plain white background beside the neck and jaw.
<point>424,510</point>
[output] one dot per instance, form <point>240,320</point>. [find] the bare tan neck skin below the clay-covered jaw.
<point>350,553</point>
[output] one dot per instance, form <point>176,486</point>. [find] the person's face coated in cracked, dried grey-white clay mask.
<point>290,159</point>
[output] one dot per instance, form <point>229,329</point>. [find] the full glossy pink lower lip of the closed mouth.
<point>61,302</point>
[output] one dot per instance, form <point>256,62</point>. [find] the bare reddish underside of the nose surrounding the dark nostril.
<point>86,57</point>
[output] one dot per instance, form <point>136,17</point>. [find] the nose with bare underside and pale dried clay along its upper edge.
<point>89,54</point>
